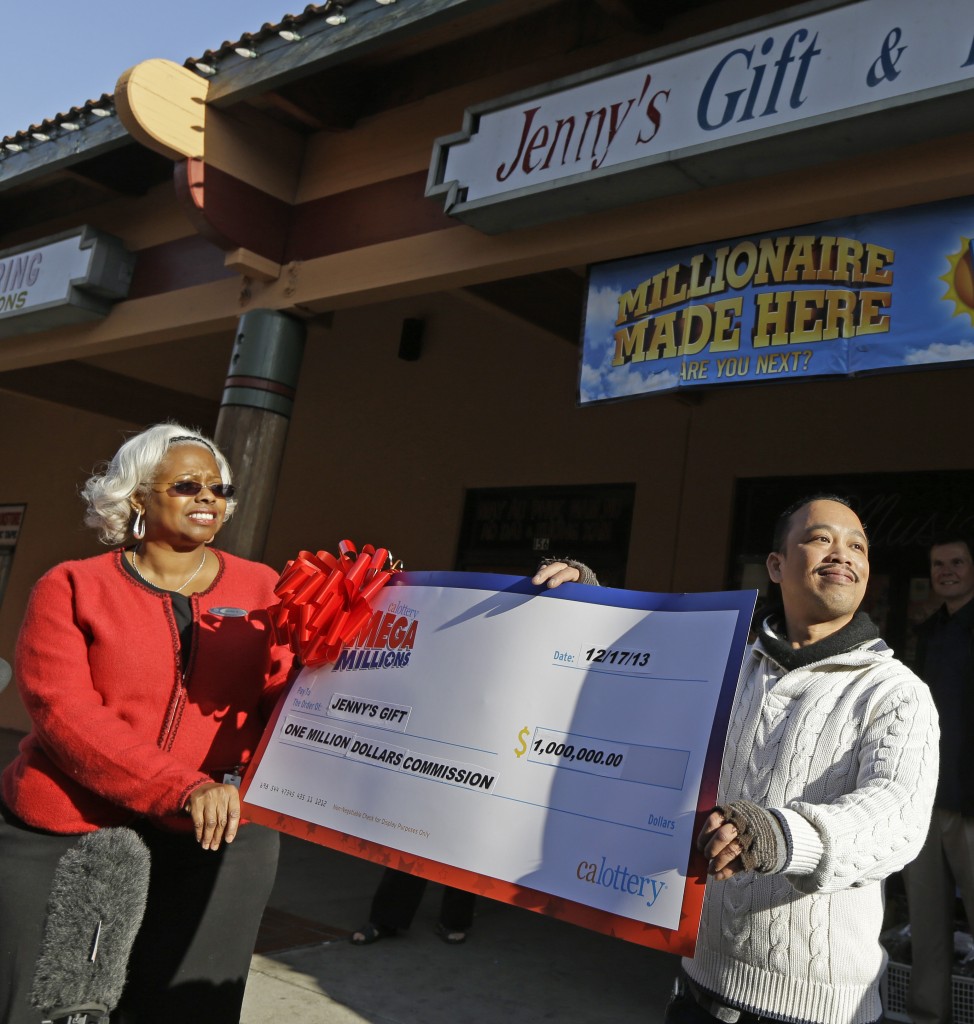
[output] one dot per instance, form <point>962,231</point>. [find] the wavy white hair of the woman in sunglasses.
<point>110,491</point>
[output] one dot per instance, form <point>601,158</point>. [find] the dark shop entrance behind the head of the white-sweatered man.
<point>903,514</point>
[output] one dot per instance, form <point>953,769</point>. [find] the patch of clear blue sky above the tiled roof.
<point>59,54</point>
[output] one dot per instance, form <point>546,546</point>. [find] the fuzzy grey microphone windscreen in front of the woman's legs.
<point>95,912</point>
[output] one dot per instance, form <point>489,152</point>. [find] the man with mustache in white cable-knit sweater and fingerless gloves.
<point>826,789</point>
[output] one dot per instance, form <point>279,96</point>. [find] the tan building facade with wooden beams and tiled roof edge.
<point>307,172</point>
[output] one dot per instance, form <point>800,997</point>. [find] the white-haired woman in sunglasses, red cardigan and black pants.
<point>149,673</point>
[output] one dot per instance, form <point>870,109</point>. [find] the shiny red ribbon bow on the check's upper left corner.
<point>325,602</point>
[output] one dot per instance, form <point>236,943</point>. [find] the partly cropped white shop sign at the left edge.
<point>69,279</point>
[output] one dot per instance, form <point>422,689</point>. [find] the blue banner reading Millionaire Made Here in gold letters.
<point>879,292</point>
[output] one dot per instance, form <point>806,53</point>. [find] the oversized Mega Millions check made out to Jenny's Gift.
<point>553,749</point>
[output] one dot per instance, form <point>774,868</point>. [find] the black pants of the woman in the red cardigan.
<point>192,956</point>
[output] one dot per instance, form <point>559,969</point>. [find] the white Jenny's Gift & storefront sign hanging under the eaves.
<point>662,123</point>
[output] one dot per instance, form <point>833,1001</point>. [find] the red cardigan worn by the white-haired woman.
<point>117,730</point>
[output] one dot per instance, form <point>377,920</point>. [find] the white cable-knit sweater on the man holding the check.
<point>848,749</point>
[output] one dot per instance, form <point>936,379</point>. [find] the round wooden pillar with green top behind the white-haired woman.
<point>252,428</point>
